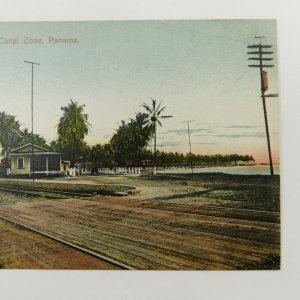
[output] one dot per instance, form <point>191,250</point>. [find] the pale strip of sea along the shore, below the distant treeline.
<point>239,170</point>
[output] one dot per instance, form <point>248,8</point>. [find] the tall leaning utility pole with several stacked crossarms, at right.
<point>259,50</point>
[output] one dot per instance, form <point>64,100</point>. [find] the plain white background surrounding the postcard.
<point>284,284</point>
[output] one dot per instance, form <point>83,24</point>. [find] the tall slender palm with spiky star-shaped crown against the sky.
<point>154,115</point>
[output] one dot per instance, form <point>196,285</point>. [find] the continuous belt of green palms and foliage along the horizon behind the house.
<point>127,147</point>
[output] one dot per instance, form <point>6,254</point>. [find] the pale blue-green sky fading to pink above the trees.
<point>198,69</point>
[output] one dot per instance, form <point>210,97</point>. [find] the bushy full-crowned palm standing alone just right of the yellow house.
<point>73,126</point>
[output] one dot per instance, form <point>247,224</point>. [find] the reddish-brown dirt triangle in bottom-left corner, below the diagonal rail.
<point>22,249</point>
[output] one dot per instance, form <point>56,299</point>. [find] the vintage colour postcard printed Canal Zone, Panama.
<point>140,145</point>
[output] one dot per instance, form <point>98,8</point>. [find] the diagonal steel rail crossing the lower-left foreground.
<point>88,252</point>
